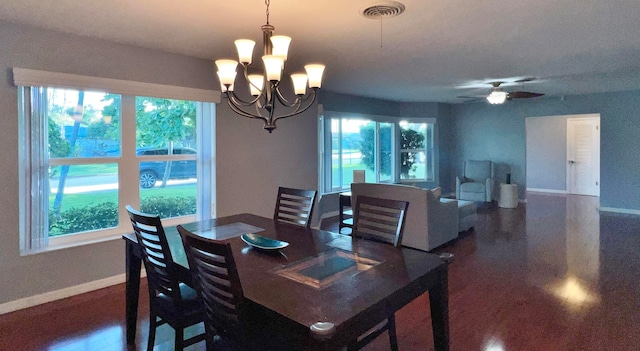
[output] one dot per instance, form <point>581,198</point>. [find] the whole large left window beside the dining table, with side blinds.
<point>88,154</point>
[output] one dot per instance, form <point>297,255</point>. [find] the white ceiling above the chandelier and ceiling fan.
<point>431,52</point>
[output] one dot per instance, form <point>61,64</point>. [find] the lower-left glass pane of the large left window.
<point>82,198</point>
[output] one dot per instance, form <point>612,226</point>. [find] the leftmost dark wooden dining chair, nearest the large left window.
<point>170,301</point>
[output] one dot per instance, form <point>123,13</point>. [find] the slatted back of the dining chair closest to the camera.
<point>216,281</point>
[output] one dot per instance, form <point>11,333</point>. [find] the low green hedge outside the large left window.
<point>105,214</point>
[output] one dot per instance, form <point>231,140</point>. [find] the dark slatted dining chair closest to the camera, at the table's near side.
<point>217,283</point>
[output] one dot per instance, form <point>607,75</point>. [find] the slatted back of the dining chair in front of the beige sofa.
<point>380,219</point>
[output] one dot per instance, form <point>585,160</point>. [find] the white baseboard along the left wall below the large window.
<point>51,296</point>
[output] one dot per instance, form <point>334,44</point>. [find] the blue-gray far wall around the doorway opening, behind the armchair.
<point>485,131</point>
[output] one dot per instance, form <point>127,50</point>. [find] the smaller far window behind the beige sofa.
<point>387,149</point>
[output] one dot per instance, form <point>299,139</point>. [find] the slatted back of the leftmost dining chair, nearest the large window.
<point>156,254</point>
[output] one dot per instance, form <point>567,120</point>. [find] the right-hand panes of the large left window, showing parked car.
<point>166,129</point>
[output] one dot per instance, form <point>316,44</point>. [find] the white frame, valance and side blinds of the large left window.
<point>128,162</point>
